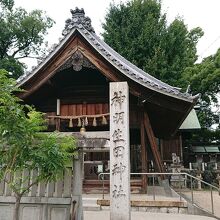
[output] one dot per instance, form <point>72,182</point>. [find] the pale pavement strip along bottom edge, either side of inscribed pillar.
<point>104,215</point>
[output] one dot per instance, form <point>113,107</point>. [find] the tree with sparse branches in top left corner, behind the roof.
<point>22,35</point>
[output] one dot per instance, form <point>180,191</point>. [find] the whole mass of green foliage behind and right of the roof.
<point>139,31</point>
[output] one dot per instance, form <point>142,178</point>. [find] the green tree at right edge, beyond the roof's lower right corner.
<point>204,78</point>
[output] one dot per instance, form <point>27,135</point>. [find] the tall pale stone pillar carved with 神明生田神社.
<point>119,152</point>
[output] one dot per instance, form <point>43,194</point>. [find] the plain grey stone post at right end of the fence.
<point>77,184</point>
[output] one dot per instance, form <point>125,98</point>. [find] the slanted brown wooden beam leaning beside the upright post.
<point>153,143</point>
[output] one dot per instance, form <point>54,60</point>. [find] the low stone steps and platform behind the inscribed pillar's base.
<point>165,201</point>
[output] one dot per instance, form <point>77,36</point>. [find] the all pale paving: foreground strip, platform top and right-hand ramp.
<point>202,198</point>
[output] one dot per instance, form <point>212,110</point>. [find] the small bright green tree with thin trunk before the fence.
<point>24,147</point>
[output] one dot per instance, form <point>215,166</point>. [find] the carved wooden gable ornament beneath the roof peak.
<point>77,61</point>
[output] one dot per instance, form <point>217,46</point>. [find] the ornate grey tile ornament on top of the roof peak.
<point>78,20</point>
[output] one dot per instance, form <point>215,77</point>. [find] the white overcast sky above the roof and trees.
<point>202,13</point>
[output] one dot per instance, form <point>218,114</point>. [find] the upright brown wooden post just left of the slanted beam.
<point>143,155</point>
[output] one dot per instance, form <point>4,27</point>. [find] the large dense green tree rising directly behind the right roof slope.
<point>138,30</point>
